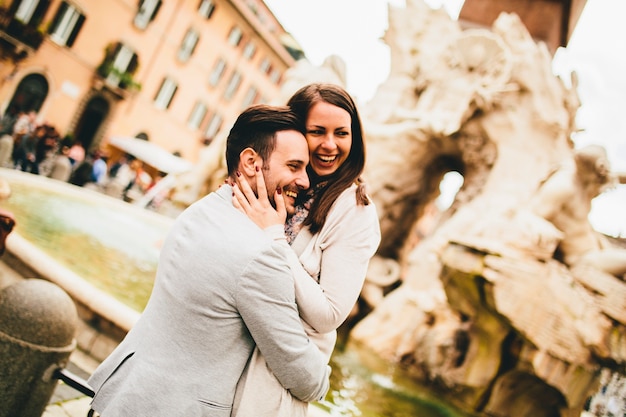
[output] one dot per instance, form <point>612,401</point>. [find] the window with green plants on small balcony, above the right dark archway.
<point>119,64</point>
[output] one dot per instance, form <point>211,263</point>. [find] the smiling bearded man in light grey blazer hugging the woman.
<point>222,286</point>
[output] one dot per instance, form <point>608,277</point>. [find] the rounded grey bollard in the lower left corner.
<point>38,321</point>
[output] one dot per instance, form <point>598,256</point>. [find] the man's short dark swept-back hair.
<point>256,128</point>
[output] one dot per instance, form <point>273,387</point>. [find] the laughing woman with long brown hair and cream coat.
<point>333,234</point>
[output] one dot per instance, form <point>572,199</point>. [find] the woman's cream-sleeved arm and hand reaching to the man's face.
<point>337,257</point>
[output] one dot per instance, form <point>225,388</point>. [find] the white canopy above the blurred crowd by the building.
<point>152,154</point>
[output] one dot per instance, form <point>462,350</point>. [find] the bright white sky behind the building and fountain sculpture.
<point>352,29</point>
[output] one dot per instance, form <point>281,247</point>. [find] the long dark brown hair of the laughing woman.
<point>351,169</point>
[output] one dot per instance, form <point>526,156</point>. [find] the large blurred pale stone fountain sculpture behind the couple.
<point>510,301</point>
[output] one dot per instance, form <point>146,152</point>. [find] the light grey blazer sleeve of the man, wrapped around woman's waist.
<point>266,302</point>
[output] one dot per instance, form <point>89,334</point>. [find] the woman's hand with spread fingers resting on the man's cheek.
<point>259,207</point>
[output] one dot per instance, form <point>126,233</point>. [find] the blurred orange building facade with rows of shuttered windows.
<point>174,72</point>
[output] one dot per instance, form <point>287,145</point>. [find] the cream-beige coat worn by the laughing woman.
<point>337,259</point>
